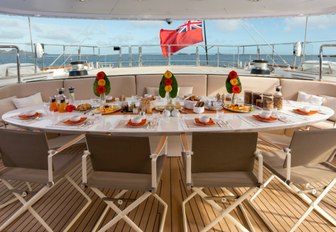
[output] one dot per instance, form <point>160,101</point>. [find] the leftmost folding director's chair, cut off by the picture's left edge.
<point>28,159</point>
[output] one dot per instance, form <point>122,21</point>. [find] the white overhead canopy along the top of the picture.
<point>167,9</point>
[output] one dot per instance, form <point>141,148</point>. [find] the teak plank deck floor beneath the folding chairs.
<point>277,203</point>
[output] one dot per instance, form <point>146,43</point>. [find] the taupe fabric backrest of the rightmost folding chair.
<point>312,147</point>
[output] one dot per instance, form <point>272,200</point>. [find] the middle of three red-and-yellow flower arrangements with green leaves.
<point>168,84</point>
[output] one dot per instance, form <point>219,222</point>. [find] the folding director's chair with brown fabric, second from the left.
<point>123,163</point>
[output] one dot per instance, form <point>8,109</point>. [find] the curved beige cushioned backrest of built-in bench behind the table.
<point>128,85</point>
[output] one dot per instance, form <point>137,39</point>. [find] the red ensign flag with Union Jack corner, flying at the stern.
<point>187,34</point>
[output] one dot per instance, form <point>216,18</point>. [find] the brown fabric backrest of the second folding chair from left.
<point>119,153</point>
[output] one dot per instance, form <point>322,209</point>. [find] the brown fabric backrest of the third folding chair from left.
<point>220,152</point>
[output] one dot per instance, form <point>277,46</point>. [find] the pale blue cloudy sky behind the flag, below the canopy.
<point>14,29</point>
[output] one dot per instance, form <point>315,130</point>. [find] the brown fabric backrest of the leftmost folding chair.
<point>24,149</point>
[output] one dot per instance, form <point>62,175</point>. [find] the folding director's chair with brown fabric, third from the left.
<point>221,160</point>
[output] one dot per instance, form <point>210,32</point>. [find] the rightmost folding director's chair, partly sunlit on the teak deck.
<point>306,169</point>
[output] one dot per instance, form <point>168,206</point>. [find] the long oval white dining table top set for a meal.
<point>157,124</point>
